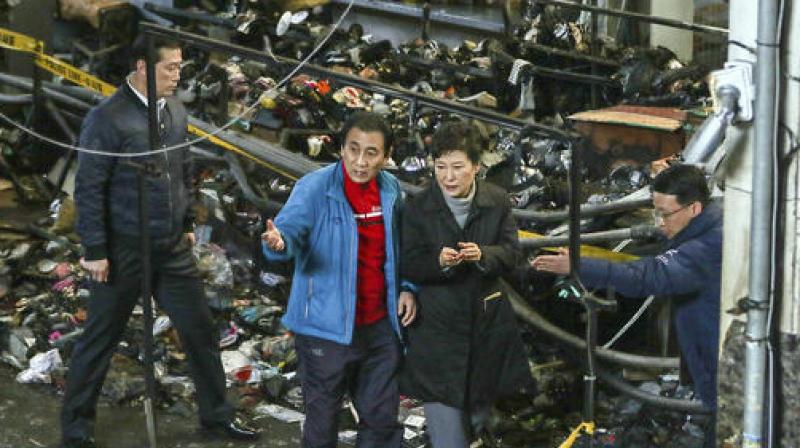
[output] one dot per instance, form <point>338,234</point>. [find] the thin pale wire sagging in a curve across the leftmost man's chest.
<point>206,135</point>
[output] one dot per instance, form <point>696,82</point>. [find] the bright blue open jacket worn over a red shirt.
<point>320,233</point>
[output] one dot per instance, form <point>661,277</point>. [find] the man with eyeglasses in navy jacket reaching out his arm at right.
<point>689,269</point>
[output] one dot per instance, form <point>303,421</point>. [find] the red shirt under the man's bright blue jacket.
<point>365,199</point>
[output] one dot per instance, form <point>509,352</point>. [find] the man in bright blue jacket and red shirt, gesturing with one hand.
<point>340,226</point>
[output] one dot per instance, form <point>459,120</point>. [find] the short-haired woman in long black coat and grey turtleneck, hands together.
<point>458,238</point>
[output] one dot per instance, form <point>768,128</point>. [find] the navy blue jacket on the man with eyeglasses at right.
<point>689,269</point>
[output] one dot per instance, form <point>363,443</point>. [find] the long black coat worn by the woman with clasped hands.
<point>464,349</point>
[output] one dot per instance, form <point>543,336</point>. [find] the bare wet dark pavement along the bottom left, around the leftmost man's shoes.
<point>29,419</point>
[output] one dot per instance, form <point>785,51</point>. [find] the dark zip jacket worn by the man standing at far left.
<point>106,193</point>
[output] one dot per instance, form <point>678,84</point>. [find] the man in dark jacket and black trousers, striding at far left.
<point>108,223</point>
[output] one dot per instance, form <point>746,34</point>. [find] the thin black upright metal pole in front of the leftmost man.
<point>144,226</point>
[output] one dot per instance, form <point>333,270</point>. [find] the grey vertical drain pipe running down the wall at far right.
<point>760,267</point>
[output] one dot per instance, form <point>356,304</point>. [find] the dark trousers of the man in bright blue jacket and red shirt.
<point>367,368</point>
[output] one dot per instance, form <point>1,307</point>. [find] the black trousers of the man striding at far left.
<point>179,292</point>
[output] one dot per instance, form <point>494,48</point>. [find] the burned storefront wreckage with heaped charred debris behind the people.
<point>573,124</point>
